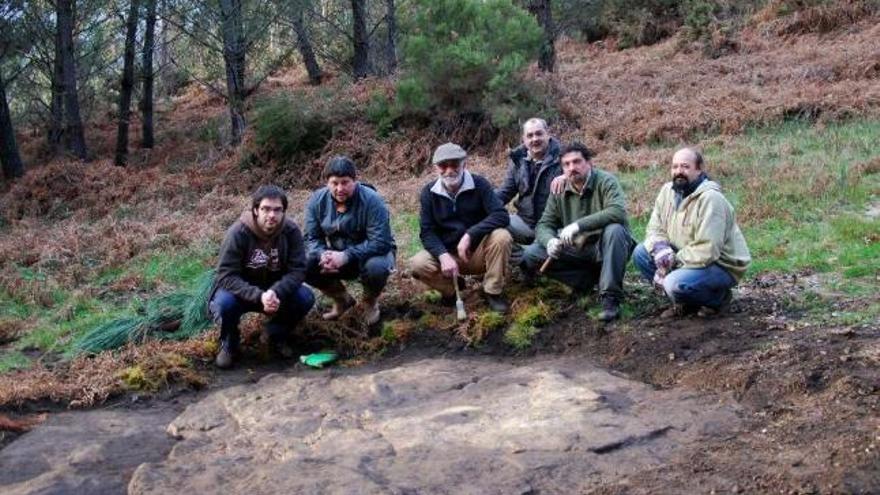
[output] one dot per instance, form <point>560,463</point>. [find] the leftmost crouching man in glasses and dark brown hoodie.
<point>261,268</point>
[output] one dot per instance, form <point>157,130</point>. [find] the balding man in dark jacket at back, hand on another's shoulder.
<point>530,169</point>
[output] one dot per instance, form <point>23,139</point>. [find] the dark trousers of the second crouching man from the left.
<point>373,273</point>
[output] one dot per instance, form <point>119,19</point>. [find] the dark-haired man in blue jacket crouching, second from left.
<point>348,236</point>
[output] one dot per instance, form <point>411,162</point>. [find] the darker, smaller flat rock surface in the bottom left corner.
<point>85,452</point>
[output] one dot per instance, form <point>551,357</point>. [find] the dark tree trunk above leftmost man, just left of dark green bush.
<point>233,57</point>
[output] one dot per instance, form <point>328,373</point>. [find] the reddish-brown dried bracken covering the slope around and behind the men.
<point>69,221</point>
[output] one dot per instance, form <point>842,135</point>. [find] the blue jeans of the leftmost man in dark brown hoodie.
<point>228,310</point>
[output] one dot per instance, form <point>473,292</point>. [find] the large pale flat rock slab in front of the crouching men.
<point>472,425</point>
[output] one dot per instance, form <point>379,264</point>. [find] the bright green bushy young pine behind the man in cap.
<point>464,57</point>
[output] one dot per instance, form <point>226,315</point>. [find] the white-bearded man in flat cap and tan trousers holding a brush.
<point>463,230</point>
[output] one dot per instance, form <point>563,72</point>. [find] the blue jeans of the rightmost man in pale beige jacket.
<point>689,286</point>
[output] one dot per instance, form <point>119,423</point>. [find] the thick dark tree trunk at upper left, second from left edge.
<point>74,127</point>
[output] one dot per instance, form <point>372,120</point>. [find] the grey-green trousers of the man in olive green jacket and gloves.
<point>604,260</point>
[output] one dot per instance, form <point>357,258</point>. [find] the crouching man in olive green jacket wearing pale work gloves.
<point>586,232</point>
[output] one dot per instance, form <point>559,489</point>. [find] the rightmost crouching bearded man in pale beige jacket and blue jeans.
<point>693,247</point>
